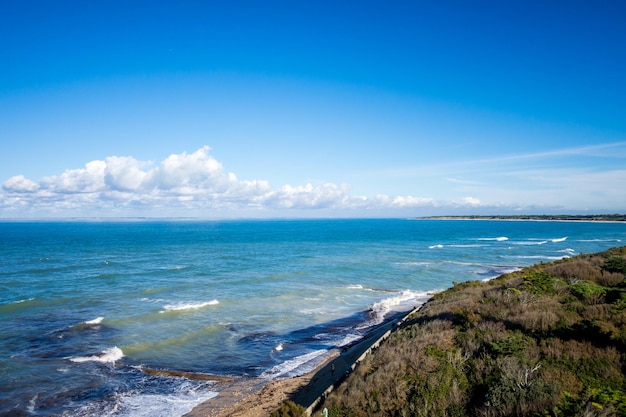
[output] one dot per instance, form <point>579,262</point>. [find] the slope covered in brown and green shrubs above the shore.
<point>547,340</point>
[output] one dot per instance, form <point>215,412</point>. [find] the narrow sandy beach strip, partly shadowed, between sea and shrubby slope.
<point>253,397</point>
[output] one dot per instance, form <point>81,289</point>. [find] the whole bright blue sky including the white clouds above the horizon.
<point>312,109</point>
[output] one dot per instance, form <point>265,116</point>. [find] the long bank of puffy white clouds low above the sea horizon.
<point>185,184</point>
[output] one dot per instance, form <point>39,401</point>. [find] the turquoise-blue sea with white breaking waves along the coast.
<point>85,305</point>
